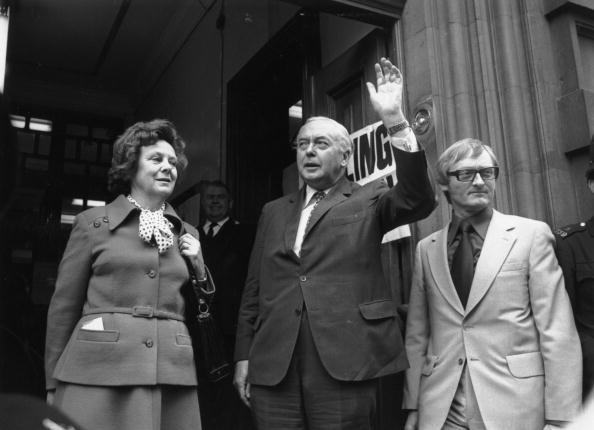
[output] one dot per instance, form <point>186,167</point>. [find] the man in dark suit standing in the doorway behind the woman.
<point>225,245</point>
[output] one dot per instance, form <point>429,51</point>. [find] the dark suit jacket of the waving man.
<point>338,277</point>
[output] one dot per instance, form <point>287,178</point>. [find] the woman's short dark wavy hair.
<point>126,151</point>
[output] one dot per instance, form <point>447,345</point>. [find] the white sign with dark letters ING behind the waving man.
<point>373,159</point>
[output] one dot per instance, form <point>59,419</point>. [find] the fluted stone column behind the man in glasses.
<point>492,77</point>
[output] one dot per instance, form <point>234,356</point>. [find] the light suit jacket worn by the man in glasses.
<point>516,334</point>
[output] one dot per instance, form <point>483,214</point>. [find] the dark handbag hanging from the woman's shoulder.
<point>212,356</point>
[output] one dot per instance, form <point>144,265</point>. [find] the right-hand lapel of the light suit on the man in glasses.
<point>498,243</point>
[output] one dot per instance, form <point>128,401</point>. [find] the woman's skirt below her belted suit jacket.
<point>152,407</point>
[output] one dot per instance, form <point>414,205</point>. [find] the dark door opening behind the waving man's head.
<point>259,98</point>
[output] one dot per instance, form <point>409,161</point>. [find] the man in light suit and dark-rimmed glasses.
<point>490,334</point>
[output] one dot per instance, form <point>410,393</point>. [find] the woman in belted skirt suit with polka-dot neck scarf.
<point>118,351</point>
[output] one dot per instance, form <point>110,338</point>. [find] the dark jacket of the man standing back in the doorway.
<point>226,255</point>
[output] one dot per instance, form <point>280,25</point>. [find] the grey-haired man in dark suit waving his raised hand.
<point>317,324</point>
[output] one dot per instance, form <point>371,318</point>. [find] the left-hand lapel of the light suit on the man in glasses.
<point>437,254</point>
